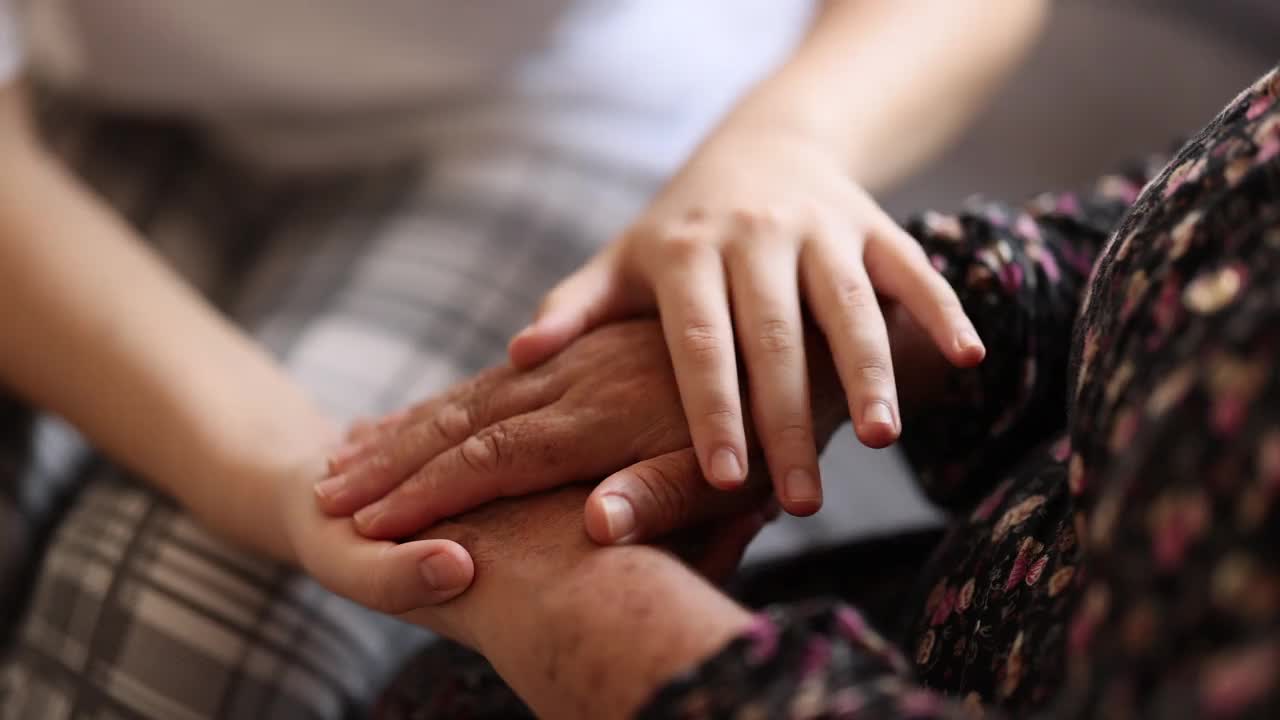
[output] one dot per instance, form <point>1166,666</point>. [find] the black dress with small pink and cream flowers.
<point>1114,468</point>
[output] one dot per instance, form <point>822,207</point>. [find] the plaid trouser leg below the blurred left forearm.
<point>141,613</point>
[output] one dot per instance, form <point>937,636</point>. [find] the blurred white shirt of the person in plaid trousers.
<point>307,81</point>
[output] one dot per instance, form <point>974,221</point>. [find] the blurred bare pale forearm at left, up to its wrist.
<point>98,330</point>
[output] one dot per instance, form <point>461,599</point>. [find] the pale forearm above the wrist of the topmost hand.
<point>886,85</point>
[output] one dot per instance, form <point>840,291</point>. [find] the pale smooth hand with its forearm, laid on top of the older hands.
<point>772,213</point>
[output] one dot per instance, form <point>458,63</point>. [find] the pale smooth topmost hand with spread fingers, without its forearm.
<point>758,221</point>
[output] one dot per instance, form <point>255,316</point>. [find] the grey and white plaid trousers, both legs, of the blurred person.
<point>376,289</point>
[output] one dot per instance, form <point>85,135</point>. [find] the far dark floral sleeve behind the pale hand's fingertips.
<point>1021,272</point>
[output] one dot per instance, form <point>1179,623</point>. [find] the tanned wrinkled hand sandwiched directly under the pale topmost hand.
<point>609,402</point>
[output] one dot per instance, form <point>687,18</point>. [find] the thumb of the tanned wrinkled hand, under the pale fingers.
<point>661,495</point>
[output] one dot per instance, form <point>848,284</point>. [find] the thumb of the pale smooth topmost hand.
<point>589,298</point>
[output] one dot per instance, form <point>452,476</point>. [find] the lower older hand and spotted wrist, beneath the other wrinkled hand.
<point>577,630</point>
